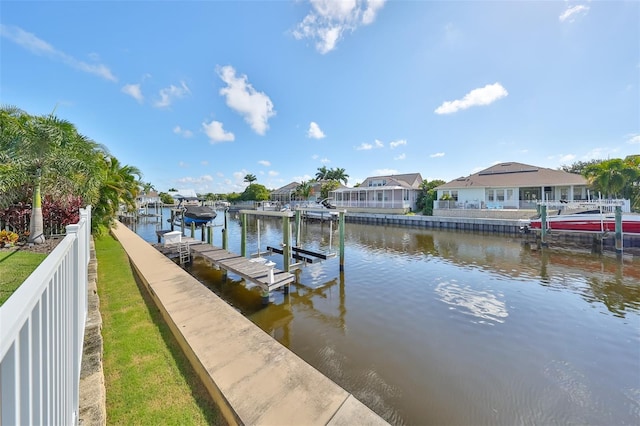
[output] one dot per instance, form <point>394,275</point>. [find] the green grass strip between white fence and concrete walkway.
<point>148,379</point>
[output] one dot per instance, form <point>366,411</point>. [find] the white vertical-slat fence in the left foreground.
<point>42,333</point>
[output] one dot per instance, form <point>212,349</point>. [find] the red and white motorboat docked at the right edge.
<point>584,218</point>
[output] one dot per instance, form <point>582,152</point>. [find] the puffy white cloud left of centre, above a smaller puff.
<point>254,106</point>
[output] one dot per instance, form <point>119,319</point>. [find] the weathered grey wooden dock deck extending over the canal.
<point>251,270</point>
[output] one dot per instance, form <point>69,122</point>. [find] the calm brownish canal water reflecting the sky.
<point>450,328</point>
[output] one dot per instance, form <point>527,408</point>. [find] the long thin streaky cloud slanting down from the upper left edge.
<point>38,46</point>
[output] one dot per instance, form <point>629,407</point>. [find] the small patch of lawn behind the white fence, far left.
<point>15,267</point>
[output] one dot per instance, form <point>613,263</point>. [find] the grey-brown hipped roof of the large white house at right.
<point>515,175</point>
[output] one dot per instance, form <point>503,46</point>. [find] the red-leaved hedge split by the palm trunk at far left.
<point>56,215</point>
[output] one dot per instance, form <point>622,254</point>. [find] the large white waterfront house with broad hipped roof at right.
<point>510,186</point>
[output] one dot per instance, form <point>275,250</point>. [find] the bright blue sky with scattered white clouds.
<point>198,94</point>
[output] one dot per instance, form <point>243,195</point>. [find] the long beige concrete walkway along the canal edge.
<point>252,377</point>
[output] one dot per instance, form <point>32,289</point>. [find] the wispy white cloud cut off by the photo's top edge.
<point>330,19</point>
